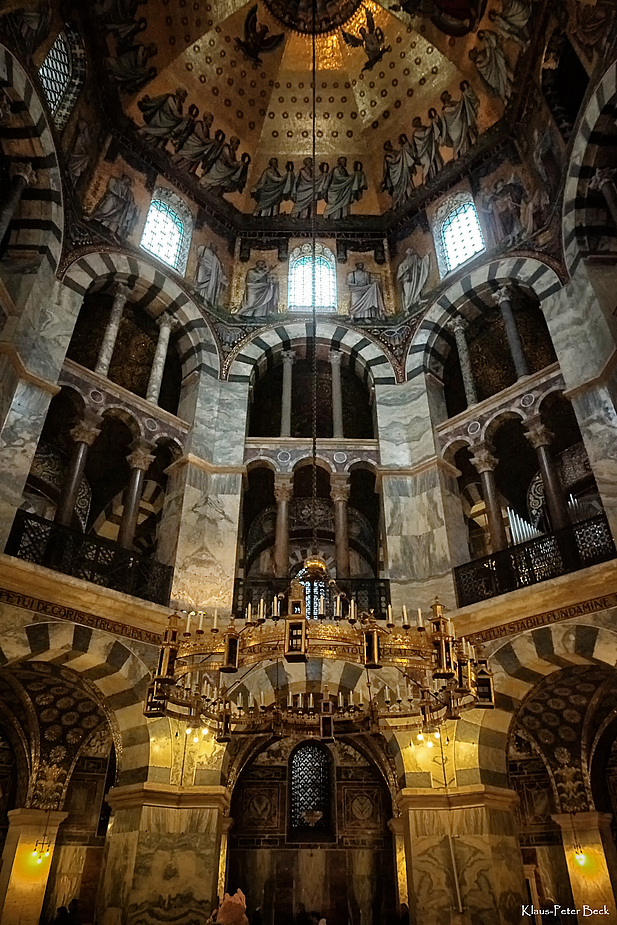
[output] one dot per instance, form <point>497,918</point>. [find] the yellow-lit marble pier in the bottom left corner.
<point>23,880</point>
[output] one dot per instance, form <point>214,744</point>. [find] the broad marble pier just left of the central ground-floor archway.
<point>162,851</point>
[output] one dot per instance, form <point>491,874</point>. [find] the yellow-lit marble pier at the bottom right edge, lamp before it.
<point>593,873</point>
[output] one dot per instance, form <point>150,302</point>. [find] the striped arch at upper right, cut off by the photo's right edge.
<point>580,205</point>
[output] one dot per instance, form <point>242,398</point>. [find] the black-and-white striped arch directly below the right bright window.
<point>469,297</point>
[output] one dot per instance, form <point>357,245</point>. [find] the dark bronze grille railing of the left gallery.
<point>89,557</point>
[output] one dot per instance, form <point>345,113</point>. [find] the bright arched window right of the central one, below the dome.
<point>457,232</point>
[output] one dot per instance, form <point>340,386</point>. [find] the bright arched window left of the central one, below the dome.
<point>168,229</point>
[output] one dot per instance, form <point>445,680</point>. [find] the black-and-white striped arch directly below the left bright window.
<point>157,293</point>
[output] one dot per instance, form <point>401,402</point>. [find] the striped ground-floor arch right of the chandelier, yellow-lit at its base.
<point>518,666</point>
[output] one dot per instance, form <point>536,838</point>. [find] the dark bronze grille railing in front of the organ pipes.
<point>575,547</point>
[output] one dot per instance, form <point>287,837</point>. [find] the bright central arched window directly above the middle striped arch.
<point>301,275</point>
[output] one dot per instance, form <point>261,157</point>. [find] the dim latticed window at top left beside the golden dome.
<point>62,74</point>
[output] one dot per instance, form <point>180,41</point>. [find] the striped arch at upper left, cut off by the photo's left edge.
<point>39,226</point>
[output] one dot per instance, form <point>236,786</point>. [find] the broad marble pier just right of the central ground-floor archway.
<point>464,860</point>
